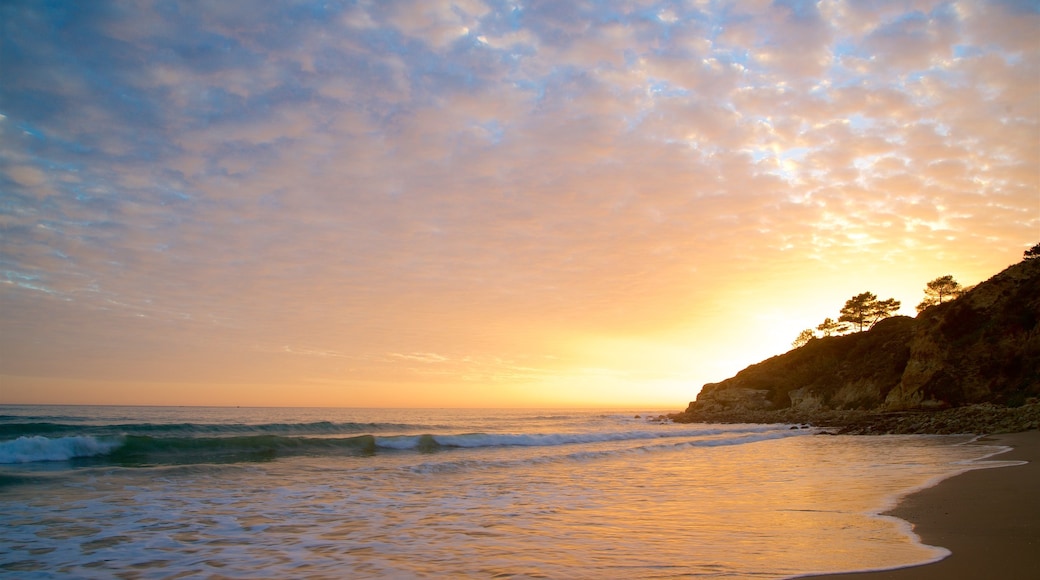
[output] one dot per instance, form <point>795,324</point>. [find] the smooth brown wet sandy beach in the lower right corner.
<point>990,519</point>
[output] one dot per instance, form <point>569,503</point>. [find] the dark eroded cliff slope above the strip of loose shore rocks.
<point>982,348</point>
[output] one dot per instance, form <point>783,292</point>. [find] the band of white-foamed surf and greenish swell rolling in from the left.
<point>184,445</point>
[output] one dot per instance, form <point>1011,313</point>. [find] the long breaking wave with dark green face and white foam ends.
<point>140,451</point>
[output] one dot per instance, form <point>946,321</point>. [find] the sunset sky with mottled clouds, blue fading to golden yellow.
<point>488,203</point>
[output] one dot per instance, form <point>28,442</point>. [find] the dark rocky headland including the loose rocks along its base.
<point>968,366</point>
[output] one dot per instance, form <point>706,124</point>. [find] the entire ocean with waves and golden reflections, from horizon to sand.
<point>103,492</point>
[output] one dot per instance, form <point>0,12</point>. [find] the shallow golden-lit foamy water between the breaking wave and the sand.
<point>781,508</point>
